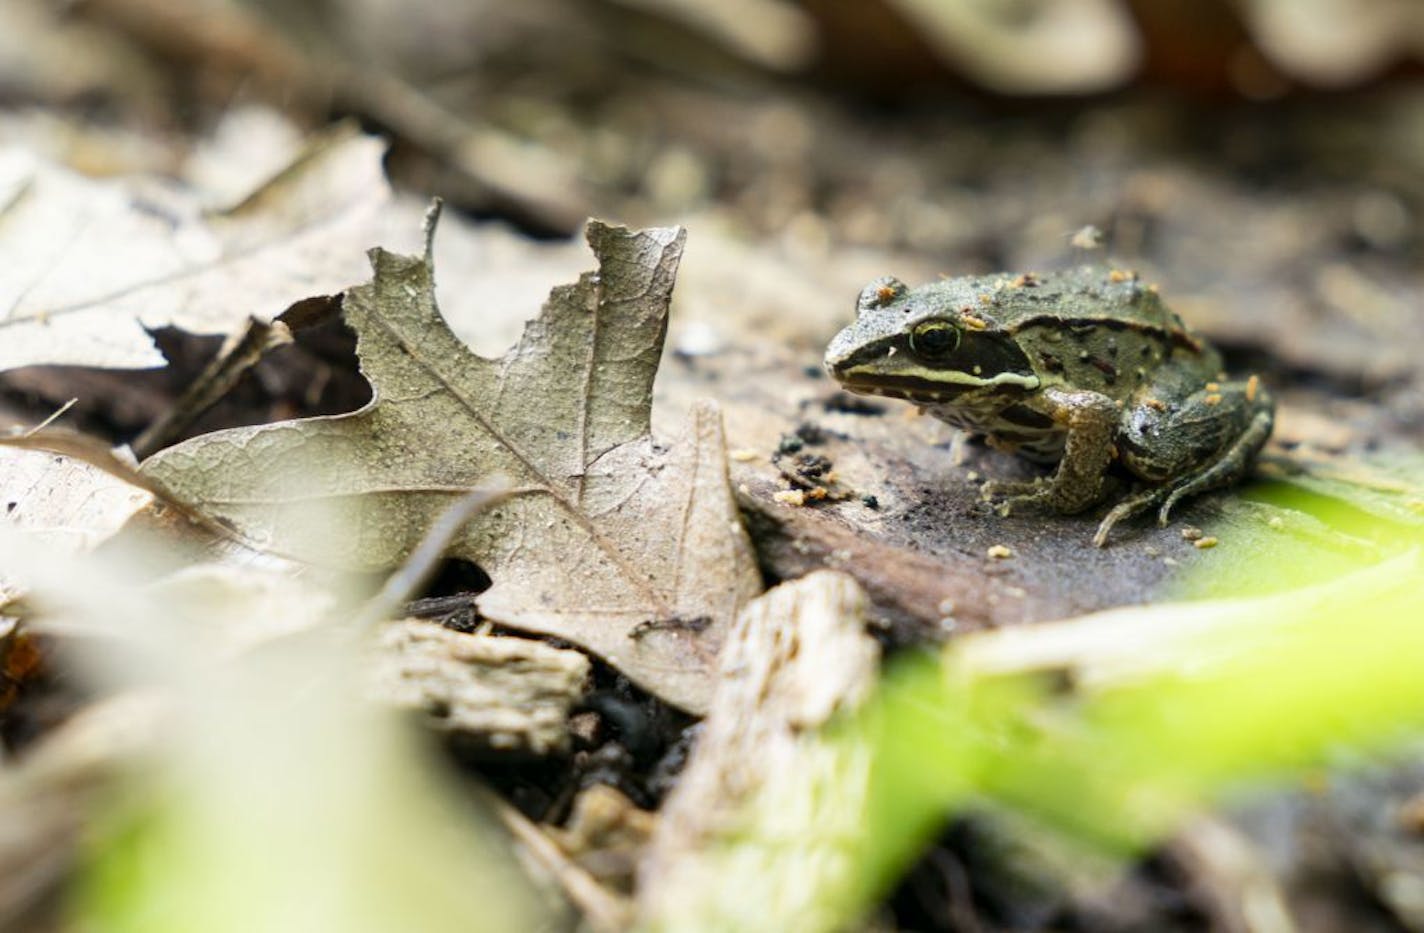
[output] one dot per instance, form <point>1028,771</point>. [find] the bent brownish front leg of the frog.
<point>1091,424</point>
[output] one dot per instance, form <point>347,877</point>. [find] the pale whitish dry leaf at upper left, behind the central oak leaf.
<point>92,266</point>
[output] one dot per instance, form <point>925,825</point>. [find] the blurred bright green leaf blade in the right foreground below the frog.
<point>1153,714</point>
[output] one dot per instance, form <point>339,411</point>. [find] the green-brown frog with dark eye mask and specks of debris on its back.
<point>1084,370</point>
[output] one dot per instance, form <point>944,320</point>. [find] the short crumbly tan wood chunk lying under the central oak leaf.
<point>501,693</point>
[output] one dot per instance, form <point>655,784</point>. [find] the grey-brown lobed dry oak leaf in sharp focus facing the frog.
<point>627,548</point>
